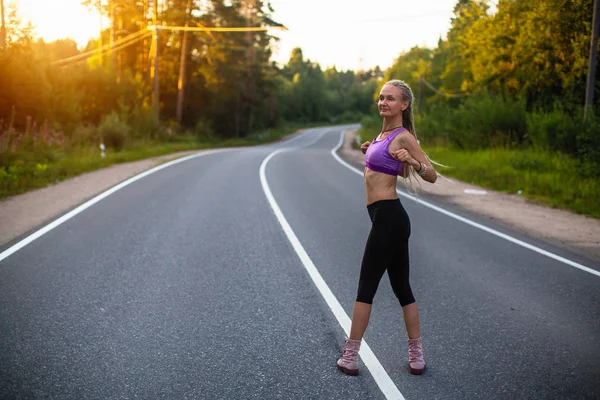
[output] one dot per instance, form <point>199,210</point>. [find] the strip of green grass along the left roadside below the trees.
<point>39,166</point>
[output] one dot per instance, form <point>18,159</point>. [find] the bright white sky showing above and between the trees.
<point>347,34</point>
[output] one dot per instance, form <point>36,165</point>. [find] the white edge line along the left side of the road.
<point>24,242</point>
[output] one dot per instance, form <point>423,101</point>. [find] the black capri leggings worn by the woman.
<point>386,249</point>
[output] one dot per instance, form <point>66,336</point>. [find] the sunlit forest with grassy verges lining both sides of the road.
<point>500,100</point>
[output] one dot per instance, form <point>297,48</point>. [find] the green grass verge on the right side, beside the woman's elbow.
<point>551,179</point>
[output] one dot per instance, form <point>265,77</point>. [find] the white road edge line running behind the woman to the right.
<point>468,221</point>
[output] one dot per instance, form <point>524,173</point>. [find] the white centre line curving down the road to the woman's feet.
<point>383,380</point>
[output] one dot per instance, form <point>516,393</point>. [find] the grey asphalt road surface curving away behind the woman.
<point>184,285</point>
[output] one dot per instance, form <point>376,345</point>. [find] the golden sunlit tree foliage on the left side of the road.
<point>231,84</point>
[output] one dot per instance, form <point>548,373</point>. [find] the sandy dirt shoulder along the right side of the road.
<point>576,232</point>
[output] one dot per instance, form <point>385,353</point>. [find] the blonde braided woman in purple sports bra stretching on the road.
<point>394,152</point>
